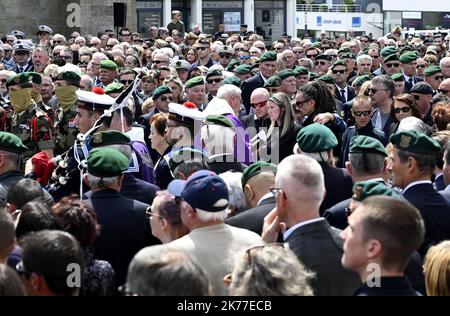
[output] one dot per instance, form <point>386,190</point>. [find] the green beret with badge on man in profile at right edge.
<point>416,142</point>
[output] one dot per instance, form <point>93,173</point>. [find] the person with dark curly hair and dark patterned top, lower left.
<point>76,218</point>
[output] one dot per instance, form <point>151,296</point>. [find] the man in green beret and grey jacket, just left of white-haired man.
<point>257,180</point>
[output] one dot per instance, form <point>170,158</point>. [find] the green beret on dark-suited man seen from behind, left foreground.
<point>106,162</point>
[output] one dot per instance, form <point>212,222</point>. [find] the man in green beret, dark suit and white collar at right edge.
<point>412,162</point>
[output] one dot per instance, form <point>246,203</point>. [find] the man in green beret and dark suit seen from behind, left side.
<point>125,228</point>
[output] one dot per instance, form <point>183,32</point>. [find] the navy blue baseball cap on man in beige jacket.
<point>204,190</point>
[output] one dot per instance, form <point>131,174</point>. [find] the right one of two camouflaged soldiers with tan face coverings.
<point>66,84</point>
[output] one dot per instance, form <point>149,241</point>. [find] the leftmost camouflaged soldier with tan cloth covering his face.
<point>28,122</point>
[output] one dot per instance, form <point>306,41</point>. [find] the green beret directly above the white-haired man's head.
<point>316,138</point>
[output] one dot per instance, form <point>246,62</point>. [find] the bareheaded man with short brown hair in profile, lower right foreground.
<point>382,235</point>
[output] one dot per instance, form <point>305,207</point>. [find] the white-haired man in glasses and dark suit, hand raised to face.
<point>299,191</point>
